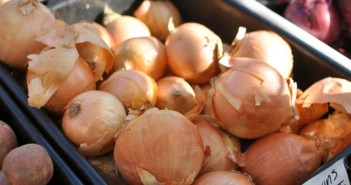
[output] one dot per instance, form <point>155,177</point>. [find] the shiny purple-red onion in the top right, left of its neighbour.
<point>317,17</point>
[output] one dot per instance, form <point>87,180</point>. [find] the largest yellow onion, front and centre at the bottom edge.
<point>159,147</point>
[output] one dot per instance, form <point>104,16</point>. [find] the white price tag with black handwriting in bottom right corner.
<point>336,174</point>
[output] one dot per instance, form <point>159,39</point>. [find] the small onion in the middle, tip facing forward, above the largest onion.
<point>175,93</point>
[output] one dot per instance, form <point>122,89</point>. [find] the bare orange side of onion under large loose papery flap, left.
<point>80,80</point>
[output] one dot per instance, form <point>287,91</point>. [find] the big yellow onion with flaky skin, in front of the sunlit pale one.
<point>246,98</point>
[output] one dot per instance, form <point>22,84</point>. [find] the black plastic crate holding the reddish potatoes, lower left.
<point>26,133</point>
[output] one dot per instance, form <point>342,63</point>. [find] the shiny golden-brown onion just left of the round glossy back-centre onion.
<point>146,54</point>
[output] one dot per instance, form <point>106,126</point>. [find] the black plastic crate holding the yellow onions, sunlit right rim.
<point>313,60</point>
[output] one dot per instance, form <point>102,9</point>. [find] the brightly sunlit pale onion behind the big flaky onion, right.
<point>268,47</point>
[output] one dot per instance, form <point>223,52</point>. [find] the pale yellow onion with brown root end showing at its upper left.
<point>91,121</point>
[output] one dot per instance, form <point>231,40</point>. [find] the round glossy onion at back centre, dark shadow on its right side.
<point>193,52</point>
